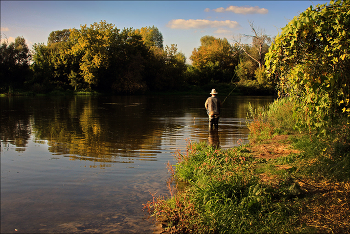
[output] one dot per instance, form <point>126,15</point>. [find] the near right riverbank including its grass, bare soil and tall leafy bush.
<point>294,176</point>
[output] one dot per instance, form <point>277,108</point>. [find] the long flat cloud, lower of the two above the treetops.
<point>200,23</point>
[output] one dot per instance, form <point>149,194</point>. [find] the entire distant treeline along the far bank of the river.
<point>103,58</point>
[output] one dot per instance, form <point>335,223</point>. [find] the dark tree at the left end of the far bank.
<point>14,64</point>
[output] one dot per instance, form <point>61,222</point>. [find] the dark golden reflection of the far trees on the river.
<point>103,129</point>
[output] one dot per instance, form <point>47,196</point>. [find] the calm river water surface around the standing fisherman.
<point>88,164</point>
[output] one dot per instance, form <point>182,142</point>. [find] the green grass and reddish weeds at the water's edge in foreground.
<point>225,195</point>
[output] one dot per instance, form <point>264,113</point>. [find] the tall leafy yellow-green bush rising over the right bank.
<point>311,59</point>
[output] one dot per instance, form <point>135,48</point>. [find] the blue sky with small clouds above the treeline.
<point>181,22</point>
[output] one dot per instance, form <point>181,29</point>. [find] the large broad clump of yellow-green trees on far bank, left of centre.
<point>103,58</point>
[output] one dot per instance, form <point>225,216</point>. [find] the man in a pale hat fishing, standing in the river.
<point>213,106</point>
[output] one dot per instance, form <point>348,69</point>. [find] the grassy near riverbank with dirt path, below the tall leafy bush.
<point>283,181</point>
